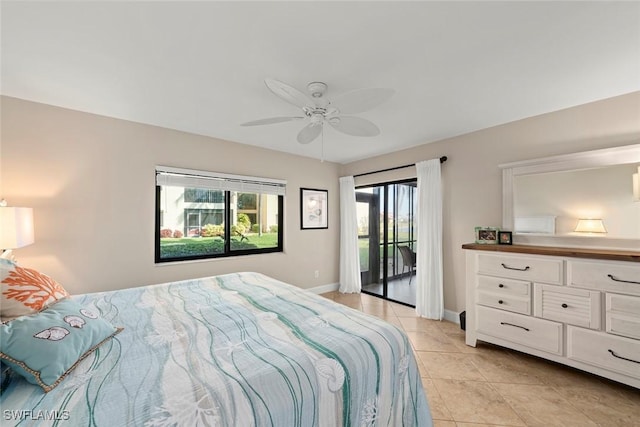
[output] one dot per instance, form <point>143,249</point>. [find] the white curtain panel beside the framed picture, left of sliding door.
<point>349,255</point>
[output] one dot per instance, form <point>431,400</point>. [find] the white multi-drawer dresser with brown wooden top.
<point>579,307</point>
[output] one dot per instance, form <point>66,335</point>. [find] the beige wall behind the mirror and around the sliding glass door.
<point>472,180</point>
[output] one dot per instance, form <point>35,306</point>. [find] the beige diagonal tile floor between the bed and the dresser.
<point>493,386</point>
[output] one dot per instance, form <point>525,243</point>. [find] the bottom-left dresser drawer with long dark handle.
<point>524,330</point>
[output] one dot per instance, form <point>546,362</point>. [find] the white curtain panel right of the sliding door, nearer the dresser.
<point>429,288</point>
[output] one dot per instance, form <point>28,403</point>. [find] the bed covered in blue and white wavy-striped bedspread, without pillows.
<point>241,349</point>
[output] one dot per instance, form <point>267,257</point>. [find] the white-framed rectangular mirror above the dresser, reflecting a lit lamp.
<point>543,199</point>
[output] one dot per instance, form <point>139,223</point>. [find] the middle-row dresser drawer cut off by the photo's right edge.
<point>623,315</point>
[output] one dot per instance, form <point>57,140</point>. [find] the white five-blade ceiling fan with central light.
<point>318,110</point>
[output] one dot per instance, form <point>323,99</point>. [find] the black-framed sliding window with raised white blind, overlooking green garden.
<point>206,215</point>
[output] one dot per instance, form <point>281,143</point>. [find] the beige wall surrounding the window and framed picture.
<point>90,180</point>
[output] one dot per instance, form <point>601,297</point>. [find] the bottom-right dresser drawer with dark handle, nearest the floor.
<point>606,351</point>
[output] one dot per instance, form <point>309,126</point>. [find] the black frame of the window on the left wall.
<point>228,251</point>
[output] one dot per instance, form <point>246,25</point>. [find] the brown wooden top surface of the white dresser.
<point>608,254</point>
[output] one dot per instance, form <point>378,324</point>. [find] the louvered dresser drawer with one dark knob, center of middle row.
<point>578,307</point>
